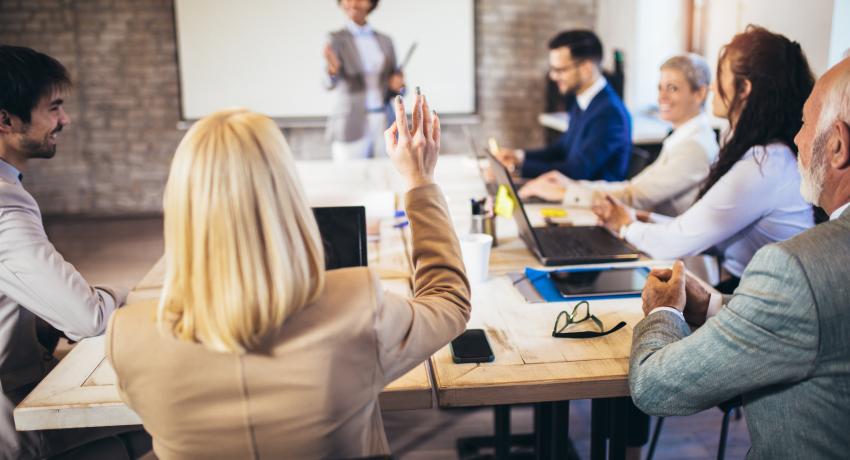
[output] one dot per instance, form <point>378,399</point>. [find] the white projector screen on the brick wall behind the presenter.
<point>266,55</point>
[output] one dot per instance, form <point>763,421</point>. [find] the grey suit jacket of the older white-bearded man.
<point>782,342</point>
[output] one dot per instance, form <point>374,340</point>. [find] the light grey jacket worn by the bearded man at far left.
<point>35,281</point>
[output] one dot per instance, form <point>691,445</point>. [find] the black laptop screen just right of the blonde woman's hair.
<point>343,230</point>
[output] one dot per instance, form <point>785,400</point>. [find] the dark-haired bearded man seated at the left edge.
<point>35,281</point>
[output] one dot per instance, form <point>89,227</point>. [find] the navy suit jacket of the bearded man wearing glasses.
<point>597,145</point>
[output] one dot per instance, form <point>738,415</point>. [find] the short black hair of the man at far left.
<point>26,77</point>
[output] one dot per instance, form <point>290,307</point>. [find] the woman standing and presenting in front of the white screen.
<point>361,69</point>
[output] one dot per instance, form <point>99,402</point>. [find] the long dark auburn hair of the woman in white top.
<point>780,79</point>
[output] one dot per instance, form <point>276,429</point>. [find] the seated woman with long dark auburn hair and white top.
<point>752,194</point>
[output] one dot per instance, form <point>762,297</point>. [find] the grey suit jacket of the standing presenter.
<point>348,118</point>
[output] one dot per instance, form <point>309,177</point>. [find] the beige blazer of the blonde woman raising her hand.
<point>313,393</point>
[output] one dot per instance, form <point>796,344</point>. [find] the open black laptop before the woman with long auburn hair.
<point>564,245</point>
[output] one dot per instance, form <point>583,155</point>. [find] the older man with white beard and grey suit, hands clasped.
<point>782,341</point>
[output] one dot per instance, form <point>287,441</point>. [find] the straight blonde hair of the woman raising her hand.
<point>242,248</point>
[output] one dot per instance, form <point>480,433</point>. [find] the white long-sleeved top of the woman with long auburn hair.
<point>756,203</point>
